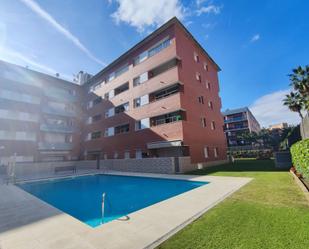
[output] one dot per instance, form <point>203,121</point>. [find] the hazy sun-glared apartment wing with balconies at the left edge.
<point>39,116</point>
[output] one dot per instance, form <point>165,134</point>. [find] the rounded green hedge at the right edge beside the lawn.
<point>300,157</point>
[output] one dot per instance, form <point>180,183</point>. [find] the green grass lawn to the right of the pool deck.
<point>269,212</point>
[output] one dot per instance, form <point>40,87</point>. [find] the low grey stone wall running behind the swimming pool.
<point>160,165</point>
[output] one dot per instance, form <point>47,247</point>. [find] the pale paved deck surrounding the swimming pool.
<point>26,222</point>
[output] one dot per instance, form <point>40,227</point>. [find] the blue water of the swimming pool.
<point>81,197</point>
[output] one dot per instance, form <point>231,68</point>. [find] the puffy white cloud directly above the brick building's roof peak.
<point>142,14</point>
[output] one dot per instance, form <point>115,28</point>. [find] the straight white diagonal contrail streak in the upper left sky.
<point>49,19</point>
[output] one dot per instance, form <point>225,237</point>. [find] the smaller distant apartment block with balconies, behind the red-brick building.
<point>238,121</point>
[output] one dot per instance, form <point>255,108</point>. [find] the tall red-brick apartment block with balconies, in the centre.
<point>160,98</point>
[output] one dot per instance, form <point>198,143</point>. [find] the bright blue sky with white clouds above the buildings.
<point>256,43</point>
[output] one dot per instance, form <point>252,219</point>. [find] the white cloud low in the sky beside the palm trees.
<point>269,109</point>
